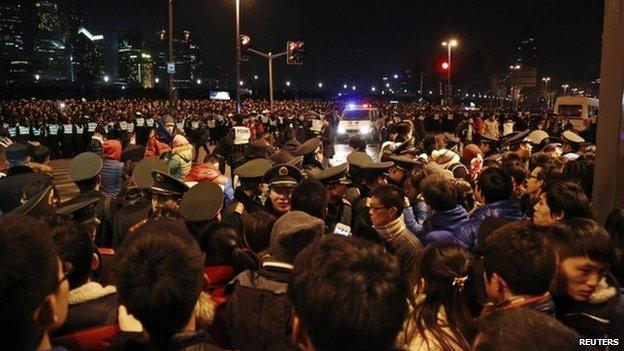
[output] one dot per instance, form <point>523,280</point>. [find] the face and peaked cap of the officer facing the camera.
<point>281,180</point>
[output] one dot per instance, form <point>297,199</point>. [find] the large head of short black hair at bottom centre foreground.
<point>326,292</point>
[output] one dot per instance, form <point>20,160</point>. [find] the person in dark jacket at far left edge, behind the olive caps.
<point>19,177</point>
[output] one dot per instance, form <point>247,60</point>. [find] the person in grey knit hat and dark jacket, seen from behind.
<point>290,235</point>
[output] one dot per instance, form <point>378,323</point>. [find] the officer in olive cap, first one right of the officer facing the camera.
<point>335,179</point>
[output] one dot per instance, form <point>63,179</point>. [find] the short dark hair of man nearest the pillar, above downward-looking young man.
<point>568,199</point>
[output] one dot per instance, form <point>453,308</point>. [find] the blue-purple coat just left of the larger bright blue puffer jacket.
<point>441,226</point>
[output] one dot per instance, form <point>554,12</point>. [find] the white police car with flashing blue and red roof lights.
<point>358,119</point>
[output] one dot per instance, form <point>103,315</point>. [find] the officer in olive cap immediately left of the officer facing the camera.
<point>247,195</point>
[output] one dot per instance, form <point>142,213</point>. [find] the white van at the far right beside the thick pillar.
<point>581,111</point>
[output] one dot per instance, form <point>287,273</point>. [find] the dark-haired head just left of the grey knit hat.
<point>220,242</point>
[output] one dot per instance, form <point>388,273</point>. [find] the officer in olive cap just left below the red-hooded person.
<point>84,170</point>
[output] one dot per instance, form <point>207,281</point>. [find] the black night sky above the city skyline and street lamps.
<point>357,42</point>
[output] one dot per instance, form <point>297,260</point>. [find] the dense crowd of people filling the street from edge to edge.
<point>473,230</point>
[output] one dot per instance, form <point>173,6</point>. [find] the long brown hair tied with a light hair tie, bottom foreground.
<point>445,283</point>
